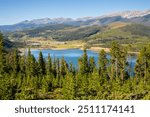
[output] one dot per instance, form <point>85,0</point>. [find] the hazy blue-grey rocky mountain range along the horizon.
<point>140,17</point>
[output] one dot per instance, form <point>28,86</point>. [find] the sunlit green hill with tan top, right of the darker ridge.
<point>136,35</point>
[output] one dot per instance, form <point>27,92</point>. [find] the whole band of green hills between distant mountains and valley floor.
<point>124,33</point>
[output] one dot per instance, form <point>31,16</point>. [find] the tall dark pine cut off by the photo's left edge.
<point>7,89</point>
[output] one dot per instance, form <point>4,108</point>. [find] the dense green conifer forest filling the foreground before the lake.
<point>25,77</point>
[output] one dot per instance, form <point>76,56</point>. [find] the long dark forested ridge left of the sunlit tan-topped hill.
<point>55,32</point>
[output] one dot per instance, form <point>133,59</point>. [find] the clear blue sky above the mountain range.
<point>14,11</point>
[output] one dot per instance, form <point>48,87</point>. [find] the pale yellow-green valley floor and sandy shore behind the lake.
<point>57,45</point>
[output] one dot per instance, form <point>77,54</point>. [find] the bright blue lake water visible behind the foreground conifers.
<point>72,55</point>
